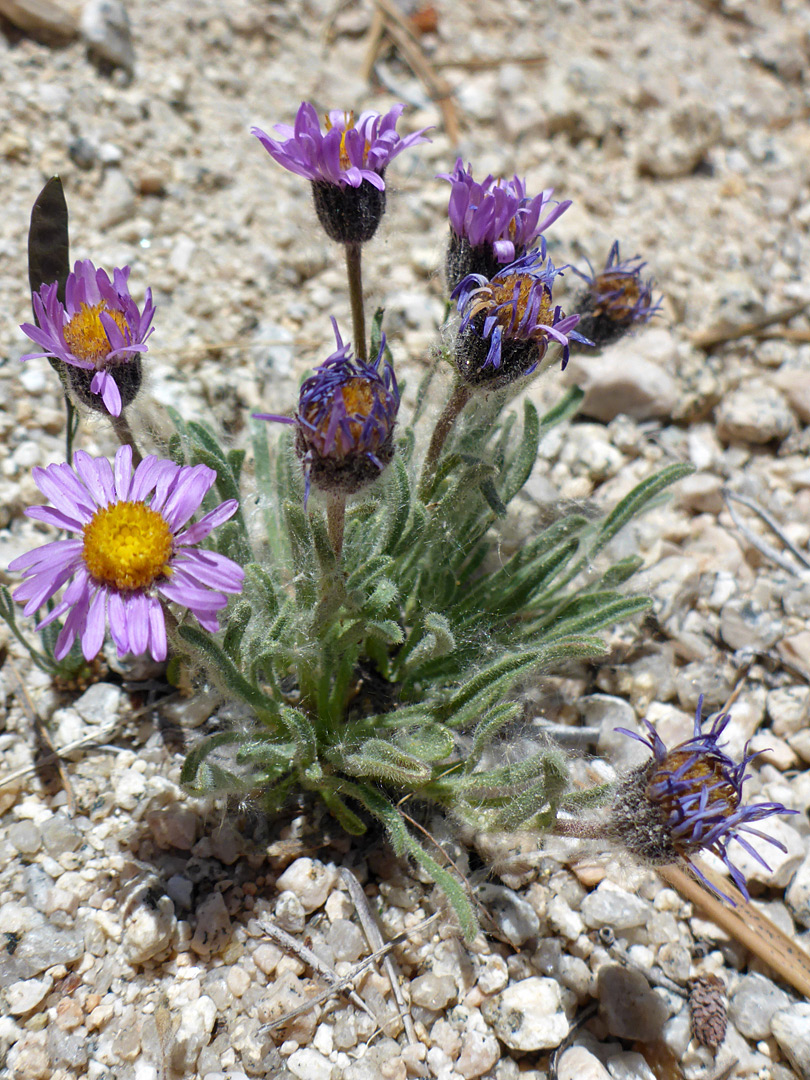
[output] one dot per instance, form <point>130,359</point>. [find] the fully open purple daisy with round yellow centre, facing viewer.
<point>134,547</point>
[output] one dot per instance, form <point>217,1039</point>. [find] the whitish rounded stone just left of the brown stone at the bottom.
<point>529,1015</point>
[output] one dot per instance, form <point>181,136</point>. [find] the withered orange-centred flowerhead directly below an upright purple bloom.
<point>508,320</point>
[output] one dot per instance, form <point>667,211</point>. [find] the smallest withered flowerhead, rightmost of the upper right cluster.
<point>616,300</point>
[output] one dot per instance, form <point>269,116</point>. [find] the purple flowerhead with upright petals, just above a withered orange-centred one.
<point>493,223</point>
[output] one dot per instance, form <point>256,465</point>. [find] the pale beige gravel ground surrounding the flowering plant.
<point>137,942</point>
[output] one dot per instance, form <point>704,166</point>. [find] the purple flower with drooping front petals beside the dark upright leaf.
<point>98,330</point>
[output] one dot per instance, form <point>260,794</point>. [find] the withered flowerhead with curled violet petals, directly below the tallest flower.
<point>346,420</point>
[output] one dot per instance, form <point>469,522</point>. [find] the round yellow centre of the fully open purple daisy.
<point>128,546</point>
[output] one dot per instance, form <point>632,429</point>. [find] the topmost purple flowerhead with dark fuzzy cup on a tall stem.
<point>346,164</point>
